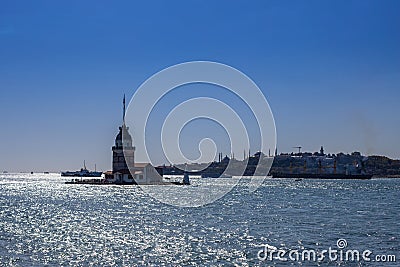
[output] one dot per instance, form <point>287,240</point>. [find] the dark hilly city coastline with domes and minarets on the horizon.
<point>295,165</point>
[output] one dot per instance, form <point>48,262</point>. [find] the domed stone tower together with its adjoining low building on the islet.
<point>123,161</point>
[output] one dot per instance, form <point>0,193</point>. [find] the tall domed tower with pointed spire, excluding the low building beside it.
<point>123,150</point>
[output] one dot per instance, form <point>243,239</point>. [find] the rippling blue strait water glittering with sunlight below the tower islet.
<point>44,222</point>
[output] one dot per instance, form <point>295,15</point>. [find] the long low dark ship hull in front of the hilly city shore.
<point>322,176</point>
